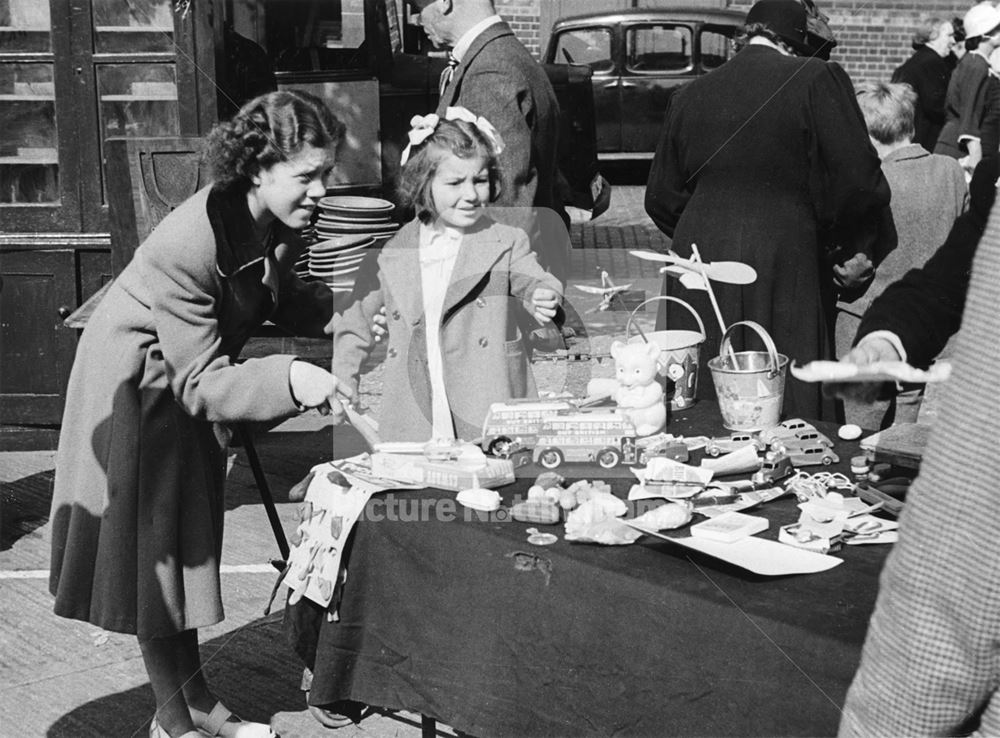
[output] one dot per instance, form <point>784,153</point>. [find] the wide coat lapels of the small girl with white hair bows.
<point>400,266</point>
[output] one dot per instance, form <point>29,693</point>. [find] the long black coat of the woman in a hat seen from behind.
<point>767,161</point>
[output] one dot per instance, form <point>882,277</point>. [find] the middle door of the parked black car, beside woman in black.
<point>659,56</point>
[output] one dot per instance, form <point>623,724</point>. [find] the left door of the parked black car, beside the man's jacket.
<point>594,46</point>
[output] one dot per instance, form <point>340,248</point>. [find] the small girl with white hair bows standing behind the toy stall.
<point>451,282</point>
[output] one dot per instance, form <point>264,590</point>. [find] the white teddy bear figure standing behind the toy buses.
<point>636,387</point>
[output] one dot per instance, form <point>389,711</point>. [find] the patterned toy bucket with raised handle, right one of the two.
<point>752,389</point>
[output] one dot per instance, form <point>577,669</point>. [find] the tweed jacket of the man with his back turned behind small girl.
<point>498,79</point>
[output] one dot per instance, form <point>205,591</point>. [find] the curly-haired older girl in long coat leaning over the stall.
<point>138,502</point>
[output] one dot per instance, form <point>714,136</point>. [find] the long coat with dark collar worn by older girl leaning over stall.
<point>138,503</point>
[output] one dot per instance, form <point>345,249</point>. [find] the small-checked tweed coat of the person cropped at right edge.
<point>931,664</point>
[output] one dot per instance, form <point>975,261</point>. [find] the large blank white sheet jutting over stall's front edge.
<point>759,555</point>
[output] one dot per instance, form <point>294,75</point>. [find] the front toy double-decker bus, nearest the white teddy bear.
<point>600,436</point>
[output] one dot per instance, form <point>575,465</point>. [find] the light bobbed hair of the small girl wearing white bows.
<point>457,137</point>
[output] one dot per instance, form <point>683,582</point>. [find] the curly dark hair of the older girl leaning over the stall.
<point>270,128</point>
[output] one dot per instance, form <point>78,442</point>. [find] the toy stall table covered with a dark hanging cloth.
<point>451,613</point>
